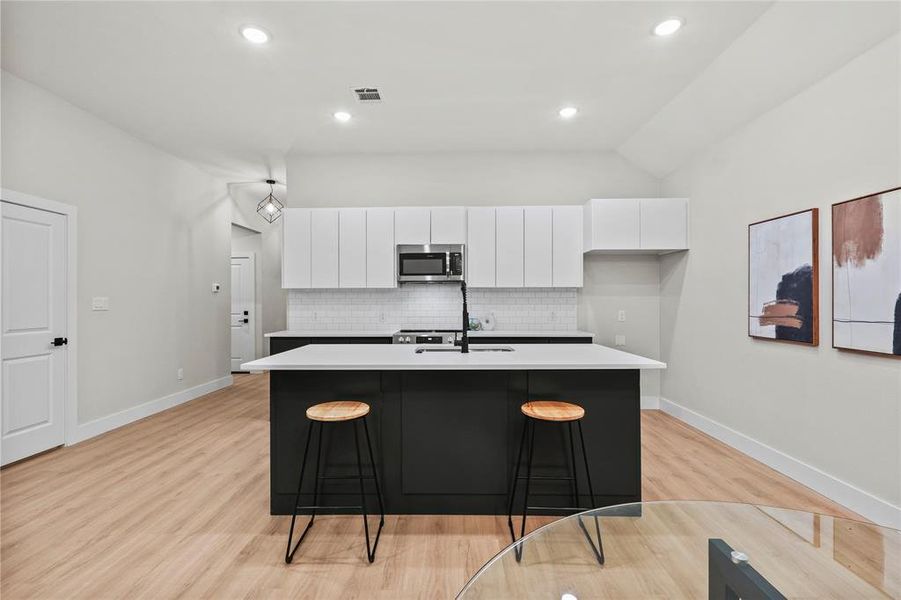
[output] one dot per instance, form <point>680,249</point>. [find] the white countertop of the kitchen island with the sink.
<point>401,357</point>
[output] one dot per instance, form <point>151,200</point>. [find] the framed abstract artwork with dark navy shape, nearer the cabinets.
<point>783,278</point>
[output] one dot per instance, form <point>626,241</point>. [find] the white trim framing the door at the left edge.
<point>71,213</point>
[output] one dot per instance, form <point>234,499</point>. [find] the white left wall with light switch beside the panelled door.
<point>153,235</point>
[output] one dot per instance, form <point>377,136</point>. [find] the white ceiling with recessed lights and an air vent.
<point>455,76</point>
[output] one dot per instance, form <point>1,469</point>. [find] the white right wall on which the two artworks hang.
<point>837,412</point>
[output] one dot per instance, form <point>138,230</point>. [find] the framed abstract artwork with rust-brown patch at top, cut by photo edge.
<point>866,274</point>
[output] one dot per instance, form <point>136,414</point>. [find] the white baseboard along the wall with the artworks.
<point>865,504</point>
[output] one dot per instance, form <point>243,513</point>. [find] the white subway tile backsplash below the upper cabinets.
<point>431,306</point>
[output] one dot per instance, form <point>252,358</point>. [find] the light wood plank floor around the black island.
<point>176,506</point>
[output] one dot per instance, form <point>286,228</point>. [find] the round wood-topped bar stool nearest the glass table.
<point>551,411</point>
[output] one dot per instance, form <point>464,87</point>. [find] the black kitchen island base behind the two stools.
<point>447,440</point>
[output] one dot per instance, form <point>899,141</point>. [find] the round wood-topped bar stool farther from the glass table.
<point>337,412</point>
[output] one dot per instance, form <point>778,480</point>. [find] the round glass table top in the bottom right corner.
<point>684,549</point>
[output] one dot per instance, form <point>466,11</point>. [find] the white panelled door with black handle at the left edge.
<point>33,312</point>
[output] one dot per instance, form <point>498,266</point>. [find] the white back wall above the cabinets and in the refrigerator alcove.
<point>499,179</point>
